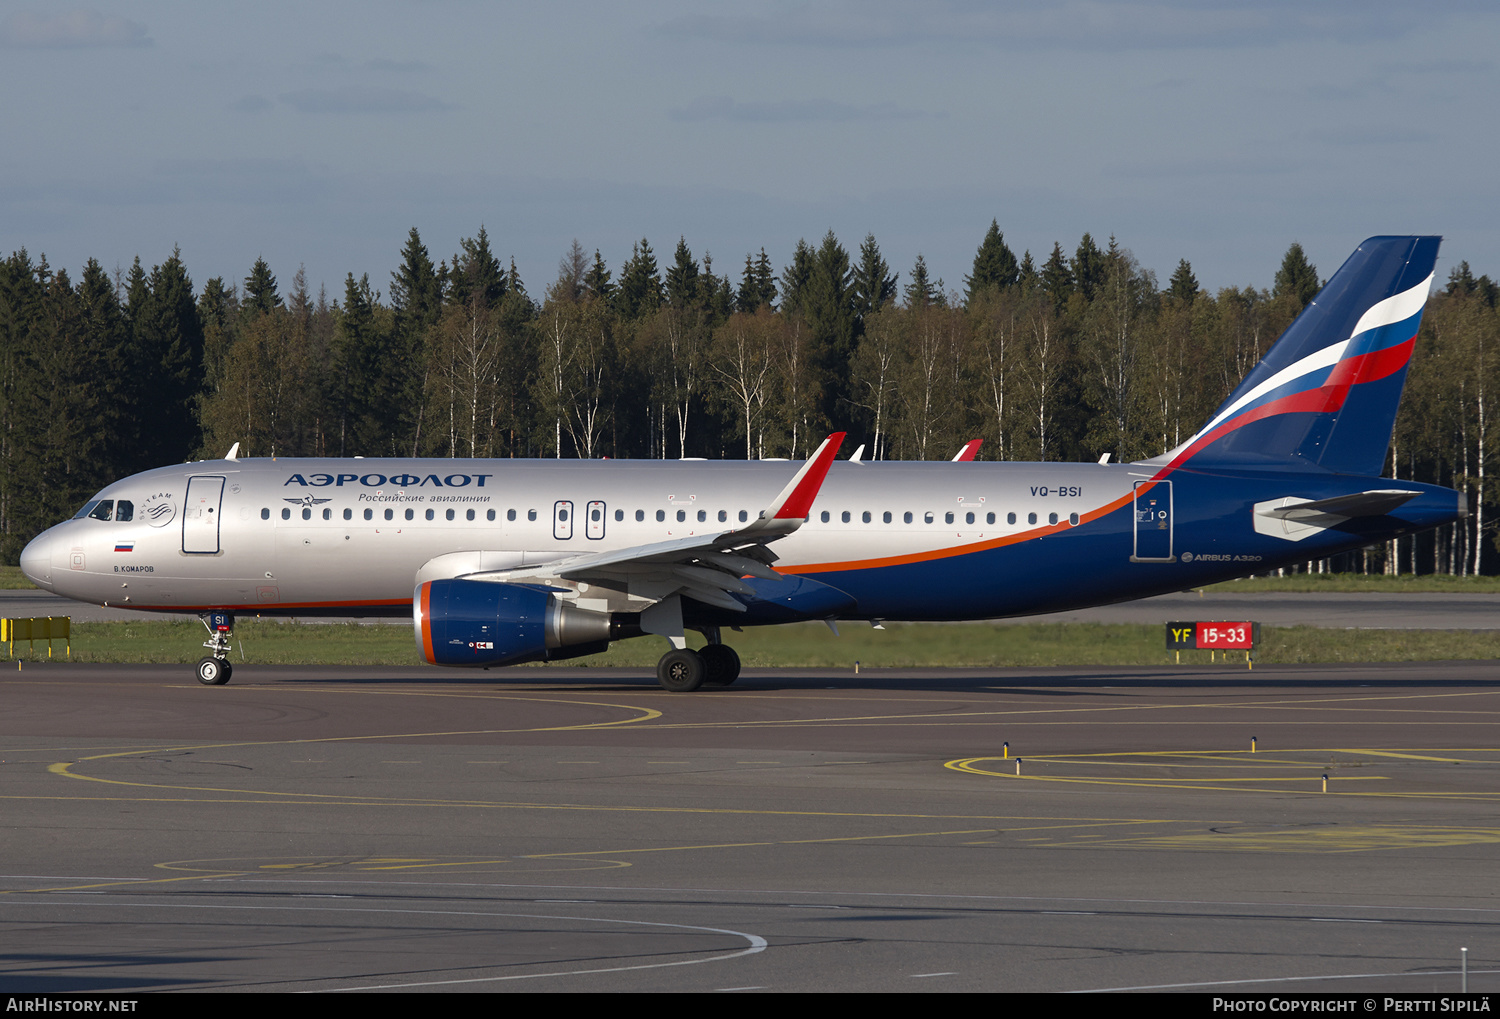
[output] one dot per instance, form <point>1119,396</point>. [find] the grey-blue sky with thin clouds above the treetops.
<point>320,134</point>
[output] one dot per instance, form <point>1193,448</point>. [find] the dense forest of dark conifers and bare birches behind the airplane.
<point>1061,359</point>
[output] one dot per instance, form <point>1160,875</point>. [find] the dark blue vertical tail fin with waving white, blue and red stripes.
<point>1327,394</point>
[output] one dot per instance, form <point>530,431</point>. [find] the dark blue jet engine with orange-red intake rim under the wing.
<point>482,624</point>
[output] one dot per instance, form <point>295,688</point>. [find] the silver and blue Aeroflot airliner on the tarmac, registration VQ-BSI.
<point>503,562</point>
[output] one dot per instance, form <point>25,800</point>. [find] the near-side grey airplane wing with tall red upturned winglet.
<point>707,568</point>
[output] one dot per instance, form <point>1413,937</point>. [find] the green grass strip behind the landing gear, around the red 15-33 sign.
<point>806,645</point>
